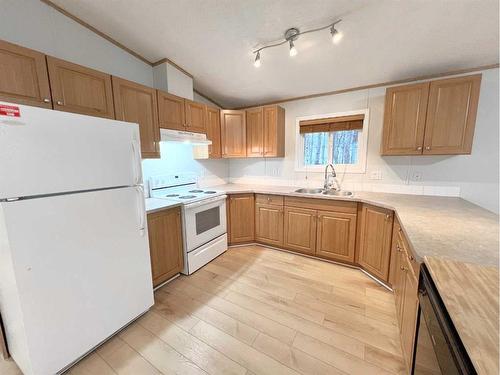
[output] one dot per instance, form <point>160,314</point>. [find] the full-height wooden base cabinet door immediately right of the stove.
<point>242,218</point>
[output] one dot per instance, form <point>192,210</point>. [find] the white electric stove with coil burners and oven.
<point>203,215</point>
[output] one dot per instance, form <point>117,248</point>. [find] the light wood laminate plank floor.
<point>255,310</point>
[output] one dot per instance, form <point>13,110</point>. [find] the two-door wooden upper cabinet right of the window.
<point>431,118</point>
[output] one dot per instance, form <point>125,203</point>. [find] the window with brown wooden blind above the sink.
<point>339,139</point>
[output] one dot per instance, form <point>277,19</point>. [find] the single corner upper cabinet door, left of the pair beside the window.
<point>233,133</point>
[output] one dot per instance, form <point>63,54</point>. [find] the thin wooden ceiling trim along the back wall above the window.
<point>375,85</point>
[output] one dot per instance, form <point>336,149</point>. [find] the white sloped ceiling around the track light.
<point>384,40</point>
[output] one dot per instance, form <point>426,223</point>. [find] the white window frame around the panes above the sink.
<point>359,167</point>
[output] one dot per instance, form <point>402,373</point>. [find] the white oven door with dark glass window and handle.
<point>204,221</point>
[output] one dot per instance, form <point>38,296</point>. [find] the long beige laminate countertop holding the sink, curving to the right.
<point>446,227</point>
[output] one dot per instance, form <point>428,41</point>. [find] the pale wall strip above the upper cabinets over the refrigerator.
<point>33,24</point>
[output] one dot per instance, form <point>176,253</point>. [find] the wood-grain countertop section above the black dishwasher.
<point>470,294</point>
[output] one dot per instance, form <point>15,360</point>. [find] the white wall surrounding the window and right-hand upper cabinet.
<point>475,177</point>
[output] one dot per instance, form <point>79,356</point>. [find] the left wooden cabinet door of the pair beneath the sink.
<point>300,229</point>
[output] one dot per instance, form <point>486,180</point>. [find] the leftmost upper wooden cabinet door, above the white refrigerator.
<point>23,76</point>
